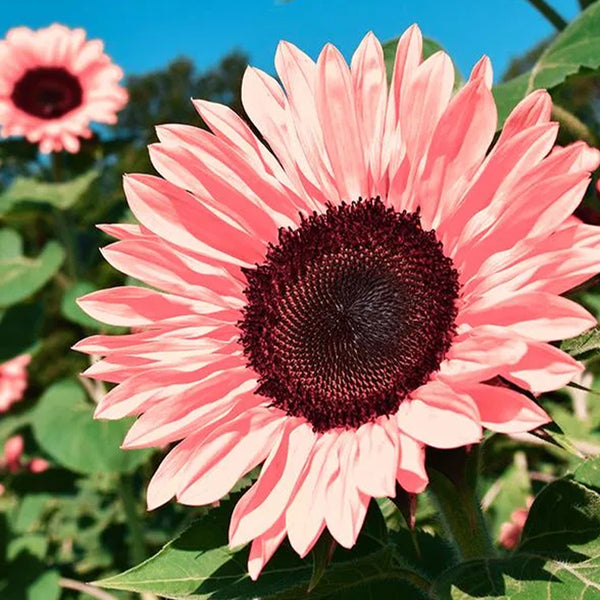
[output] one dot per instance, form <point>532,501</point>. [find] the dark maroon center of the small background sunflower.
<point>47,92</point>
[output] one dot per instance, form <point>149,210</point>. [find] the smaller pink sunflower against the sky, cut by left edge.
<point>53,83</point>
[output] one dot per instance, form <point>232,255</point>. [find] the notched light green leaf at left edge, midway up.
<point>21,276</point>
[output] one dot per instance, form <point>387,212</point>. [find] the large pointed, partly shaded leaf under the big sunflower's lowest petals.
<point>198,565</point>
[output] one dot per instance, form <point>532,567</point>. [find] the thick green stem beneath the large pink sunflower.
<point>454,491</point>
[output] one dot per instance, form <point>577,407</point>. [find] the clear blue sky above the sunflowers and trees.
<point>143,35</point>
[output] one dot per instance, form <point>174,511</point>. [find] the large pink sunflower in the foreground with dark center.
<point>375,281</point>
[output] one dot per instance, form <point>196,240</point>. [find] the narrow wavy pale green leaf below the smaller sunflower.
<point>60,195</point>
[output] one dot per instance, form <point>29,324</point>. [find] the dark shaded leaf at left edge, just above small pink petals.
<point>19,328</point>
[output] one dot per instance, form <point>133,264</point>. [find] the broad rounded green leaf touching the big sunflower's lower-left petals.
<point>91,446</point>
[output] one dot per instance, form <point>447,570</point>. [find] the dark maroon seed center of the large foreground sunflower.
<point>348,314</point>
